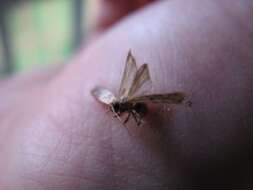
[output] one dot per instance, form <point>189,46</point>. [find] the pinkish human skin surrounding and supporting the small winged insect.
<point>54,135</point>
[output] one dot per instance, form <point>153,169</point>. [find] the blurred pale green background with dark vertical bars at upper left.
<point>41,32</point>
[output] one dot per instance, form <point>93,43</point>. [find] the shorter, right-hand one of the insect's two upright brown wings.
<point>141,83</point>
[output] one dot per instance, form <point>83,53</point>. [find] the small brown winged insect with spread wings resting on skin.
<point>132,98</point>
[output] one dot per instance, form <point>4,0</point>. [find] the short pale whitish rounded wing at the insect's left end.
<point>103,95</point>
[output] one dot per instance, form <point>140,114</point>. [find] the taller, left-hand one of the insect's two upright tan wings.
<point>128,76</point>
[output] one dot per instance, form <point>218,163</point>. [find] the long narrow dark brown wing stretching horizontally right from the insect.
<point>169,98</point>
